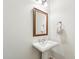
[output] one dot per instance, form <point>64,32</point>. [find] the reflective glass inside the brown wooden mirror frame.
<point>40,23</point>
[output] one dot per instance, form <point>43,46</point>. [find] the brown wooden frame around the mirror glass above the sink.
<point>34,22</point>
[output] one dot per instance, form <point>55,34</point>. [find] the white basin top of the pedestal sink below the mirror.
<point>46,46</point>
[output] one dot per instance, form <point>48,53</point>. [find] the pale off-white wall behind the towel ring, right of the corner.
<point>62,10</point>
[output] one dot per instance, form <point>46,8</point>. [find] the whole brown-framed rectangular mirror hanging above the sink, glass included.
<point>40,22</point>
